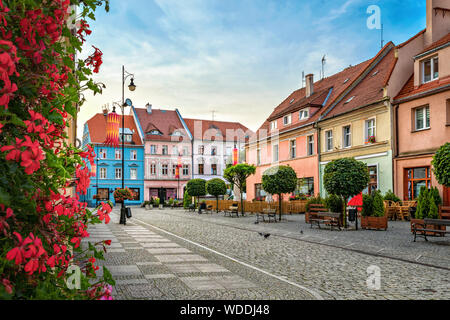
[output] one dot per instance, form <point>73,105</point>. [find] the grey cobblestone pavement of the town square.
<point>172,254</point>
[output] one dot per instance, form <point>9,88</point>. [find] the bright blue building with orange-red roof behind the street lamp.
<point>108,162</point>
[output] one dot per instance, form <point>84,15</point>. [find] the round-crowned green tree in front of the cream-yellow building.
<point>346,178</point>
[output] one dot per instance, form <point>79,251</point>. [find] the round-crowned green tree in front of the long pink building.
<point>279,180</point>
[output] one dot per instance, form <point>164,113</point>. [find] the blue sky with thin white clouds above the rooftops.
<point>240,58</point>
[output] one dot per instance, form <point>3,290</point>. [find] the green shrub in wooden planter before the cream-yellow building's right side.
<point>373,215</point>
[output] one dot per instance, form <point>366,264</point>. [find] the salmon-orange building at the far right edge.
<point>422,116</point>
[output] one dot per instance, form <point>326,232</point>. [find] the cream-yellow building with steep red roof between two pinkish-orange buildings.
<point>358,124</point>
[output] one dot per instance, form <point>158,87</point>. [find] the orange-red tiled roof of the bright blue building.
<point>97,128</point>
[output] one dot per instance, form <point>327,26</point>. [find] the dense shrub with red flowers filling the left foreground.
<point>41,223</point>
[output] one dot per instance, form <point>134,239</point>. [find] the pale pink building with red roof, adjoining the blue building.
<point>168,143</point>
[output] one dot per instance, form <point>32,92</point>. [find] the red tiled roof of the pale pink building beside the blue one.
<point>165,121</point>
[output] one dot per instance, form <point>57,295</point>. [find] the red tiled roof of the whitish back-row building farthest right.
<point>211,128</point>
